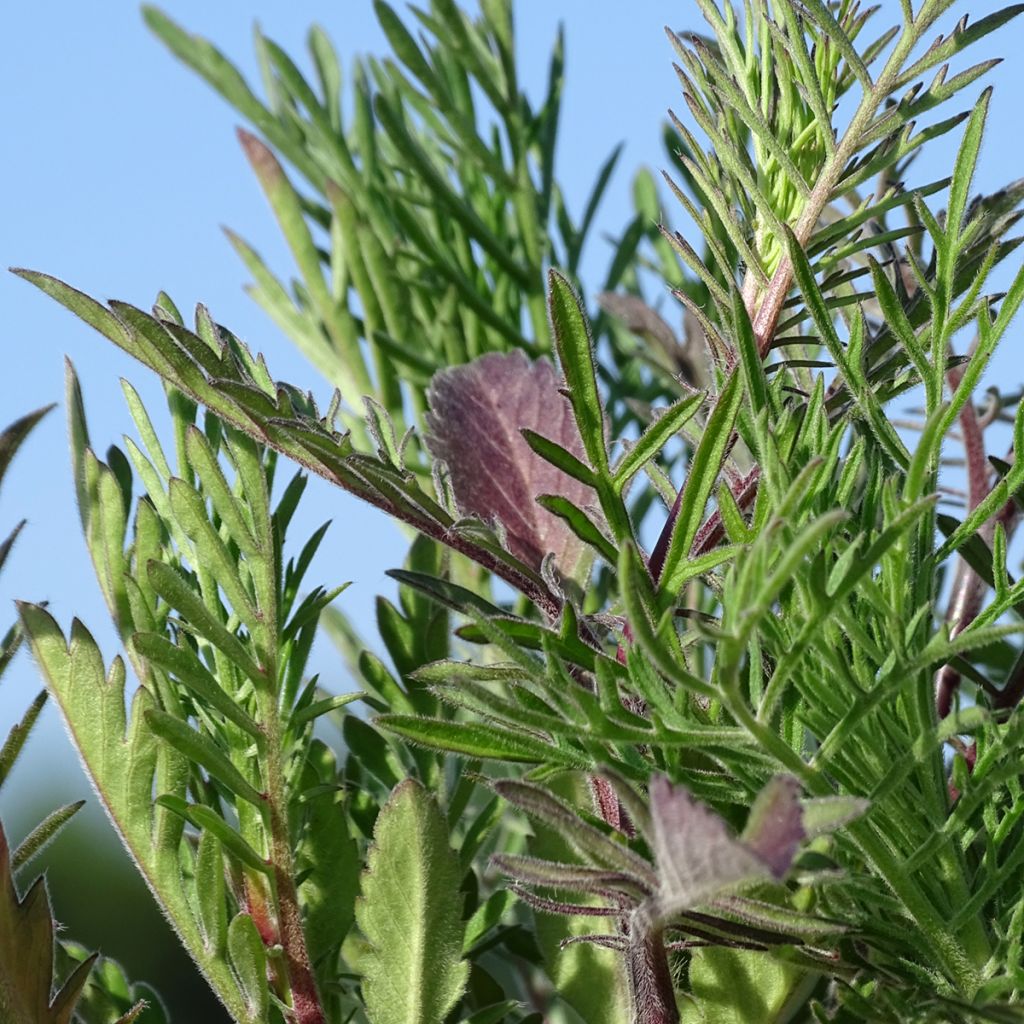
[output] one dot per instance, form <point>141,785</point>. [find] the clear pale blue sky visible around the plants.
<point>122,165</point>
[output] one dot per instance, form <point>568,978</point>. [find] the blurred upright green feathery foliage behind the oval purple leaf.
<point>441,195</point>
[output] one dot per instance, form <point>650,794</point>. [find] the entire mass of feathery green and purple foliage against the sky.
<point>718,776</point>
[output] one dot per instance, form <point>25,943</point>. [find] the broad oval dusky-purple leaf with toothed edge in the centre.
<point>477,415</point>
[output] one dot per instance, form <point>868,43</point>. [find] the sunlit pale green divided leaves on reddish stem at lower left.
<point>219,638</point>
